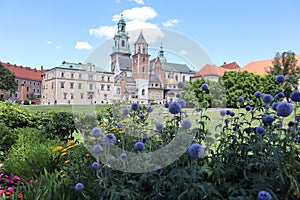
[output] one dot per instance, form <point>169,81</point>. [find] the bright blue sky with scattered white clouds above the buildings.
<point>37,33</point>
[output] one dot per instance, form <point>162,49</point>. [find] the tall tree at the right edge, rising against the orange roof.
<point>286,64</point>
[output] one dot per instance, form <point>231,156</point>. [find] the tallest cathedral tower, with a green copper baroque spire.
<point>121,49</point>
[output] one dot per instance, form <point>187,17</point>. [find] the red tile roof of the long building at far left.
<point>25,72</point>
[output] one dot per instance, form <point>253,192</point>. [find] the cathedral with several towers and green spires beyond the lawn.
<point>139,78</point>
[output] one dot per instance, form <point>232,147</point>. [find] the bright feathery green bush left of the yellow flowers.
<point>30,154</point>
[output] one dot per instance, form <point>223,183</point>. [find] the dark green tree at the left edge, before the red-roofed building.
<point>7,79</point>
